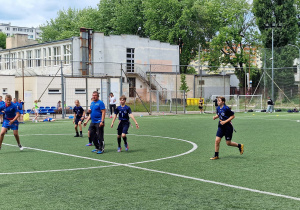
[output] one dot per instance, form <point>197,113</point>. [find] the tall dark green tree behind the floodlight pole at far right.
<point>283,13</point>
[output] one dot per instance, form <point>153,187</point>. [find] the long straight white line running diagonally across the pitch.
<point>172,174</point>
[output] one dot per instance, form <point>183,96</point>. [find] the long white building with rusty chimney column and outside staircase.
<point>128,59</point>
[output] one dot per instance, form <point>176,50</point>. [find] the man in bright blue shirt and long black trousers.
<point>96,128</point>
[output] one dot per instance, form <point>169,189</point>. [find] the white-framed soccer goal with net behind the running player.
<point>241,103</point>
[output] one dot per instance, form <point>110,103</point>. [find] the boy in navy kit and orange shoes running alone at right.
<point>225,127</point>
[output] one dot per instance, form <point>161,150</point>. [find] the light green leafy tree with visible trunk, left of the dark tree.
<point>235,30</point>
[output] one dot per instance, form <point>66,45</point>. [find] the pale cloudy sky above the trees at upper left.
<point>32,13</point>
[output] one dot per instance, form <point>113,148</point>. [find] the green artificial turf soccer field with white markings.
<point>166,167</point>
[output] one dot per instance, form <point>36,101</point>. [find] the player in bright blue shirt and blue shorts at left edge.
<point>11,114</point>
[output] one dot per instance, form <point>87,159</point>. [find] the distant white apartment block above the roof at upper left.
<point>9,30</point>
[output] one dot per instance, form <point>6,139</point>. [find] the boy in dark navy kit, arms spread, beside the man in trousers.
<point>124,113</point>
